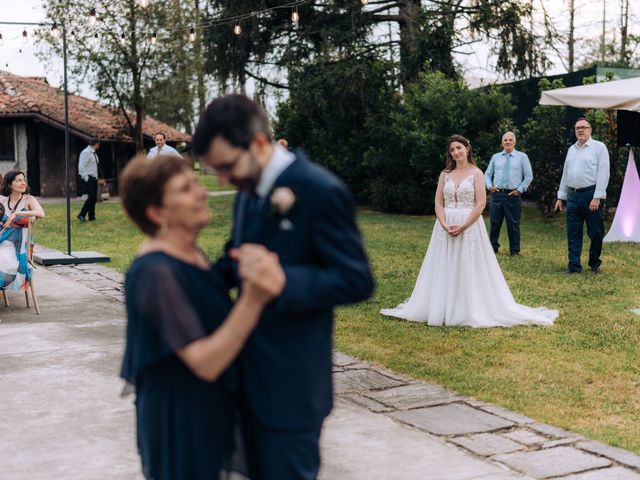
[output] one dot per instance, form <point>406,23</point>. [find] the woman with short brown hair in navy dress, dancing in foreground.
<point>183,331</point>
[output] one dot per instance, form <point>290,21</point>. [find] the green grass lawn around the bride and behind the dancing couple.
<point>583,374</point>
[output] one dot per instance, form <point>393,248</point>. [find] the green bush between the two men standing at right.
<point>546,142</point>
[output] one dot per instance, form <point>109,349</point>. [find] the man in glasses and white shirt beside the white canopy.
<point>583,189</point>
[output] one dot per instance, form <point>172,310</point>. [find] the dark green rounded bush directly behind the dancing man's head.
<point>336,112</point>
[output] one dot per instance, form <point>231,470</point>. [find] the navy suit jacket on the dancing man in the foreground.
<point>285,368</point>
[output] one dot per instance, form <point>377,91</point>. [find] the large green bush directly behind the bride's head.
<point>406,166</point>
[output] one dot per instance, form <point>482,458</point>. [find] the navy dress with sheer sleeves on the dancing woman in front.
<point>185,426</point>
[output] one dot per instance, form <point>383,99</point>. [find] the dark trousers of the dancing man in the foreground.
<point>278,454</point>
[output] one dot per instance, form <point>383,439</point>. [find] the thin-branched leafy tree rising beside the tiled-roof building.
<point>117,57</point>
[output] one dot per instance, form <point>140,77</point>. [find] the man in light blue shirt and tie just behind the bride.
<point>508,175</point>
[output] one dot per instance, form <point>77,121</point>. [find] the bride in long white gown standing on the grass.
<point>460,282</point>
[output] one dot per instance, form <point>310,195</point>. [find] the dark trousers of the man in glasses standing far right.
<point>577,214</point>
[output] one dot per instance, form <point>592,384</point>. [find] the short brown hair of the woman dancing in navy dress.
<point>142,184</point>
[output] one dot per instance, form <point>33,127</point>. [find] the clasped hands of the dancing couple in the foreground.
<point>260,270</point>
